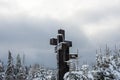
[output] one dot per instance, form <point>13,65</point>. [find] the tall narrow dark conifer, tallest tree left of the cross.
<point>9,74</point>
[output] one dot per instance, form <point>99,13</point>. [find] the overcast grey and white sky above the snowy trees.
<point>27,25</point>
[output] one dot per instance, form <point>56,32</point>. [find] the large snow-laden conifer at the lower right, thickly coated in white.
<point>107,68</point>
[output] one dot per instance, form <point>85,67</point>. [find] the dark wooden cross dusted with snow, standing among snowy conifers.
<point>62,49</point>
